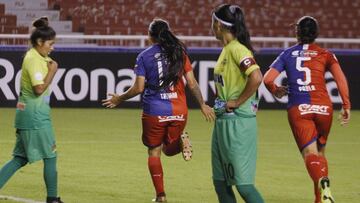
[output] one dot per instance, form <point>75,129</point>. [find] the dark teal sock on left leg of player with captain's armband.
<point>224,192</point>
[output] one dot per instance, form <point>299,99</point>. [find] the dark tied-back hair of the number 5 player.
<point>307,29</point>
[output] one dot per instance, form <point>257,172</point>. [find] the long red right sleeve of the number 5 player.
<point>341,83</point>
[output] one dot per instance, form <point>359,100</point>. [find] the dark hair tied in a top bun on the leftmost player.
<point>42,31</point>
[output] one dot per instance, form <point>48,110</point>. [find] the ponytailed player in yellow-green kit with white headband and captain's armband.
<point>237,78</point>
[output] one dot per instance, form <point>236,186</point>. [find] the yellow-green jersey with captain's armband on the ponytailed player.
<point>231,72</point>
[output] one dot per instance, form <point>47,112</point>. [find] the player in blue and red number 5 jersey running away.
<point>309,108</point>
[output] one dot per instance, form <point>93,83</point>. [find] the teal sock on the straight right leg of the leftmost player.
<point>50,177</point>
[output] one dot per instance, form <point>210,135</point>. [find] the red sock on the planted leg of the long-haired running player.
<point>156,172</point>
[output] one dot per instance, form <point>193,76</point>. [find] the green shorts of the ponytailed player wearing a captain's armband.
<point>234,149</point>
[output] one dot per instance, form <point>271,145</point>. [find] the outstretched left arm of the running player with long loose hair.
<point>137,88</point>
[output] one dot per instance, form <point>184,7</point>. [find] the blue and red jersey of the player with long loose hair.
<point>162,102</point>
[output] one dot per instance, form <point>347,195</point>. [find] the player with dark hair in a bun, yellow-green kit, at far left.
<point>35,138</point>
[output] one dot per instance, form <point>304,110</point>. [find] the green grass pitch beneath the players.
<point>101,159</point>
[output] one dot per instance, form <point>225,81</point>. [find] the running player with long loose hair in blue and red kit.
<point>161,71</point>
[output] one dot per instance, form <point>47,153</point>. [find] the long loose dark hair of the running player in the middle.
<point>173,51</point>
